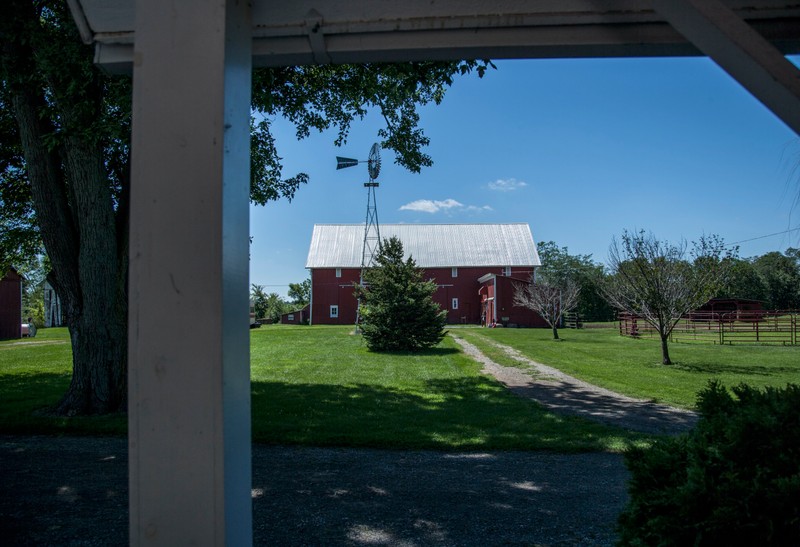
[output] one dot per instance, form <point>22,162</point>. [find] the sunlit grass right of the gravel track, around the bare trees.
<point>633,366</point>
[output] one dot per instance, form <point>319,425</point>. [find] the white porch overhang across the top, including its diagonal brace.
<point>748,38</point>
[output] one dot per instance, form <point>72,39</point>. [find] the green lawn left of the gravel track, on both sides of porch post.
<point>320,386</point>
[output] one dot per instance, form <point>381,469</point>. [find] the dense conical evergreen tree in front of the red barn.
<point>397,307</point>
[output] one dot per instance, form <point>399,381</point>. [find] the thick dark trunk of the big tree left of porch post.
<point>84,233</point>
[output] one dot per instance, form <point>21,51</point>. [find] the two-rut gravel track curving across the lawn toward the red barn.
<point>563,393</point>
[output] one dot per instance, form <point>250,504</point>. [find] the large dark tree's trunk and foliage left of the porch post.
<point>65,181</point>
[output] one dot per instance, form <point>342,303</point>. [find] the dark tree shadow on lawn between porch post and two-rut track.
<point>465,413</point>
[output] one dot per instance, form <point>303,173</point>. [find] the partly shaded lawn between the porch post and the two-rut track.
<point>320,385</point>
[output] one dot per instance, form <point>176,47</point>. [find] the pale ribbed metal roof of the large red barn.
<point>430,245</point>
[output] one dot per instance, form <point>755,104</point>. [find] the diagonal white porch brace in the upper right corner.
<point>741,51</point>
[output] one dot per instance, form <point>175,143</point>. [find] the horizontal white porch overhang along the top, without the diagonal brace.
<point>344,31</point>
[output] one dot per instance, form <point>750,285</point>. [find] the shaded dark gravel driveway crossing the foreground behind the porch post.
<point>69,491</point>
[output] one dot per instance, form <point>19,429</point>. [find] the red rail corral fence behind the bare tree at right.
<point>744,327</point>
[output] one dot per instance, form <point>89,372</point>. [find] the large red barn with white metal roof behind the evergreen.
<point>475,267</point>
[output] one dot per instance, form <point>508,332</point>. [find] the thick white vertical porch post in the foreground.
<point>189,373</point>
